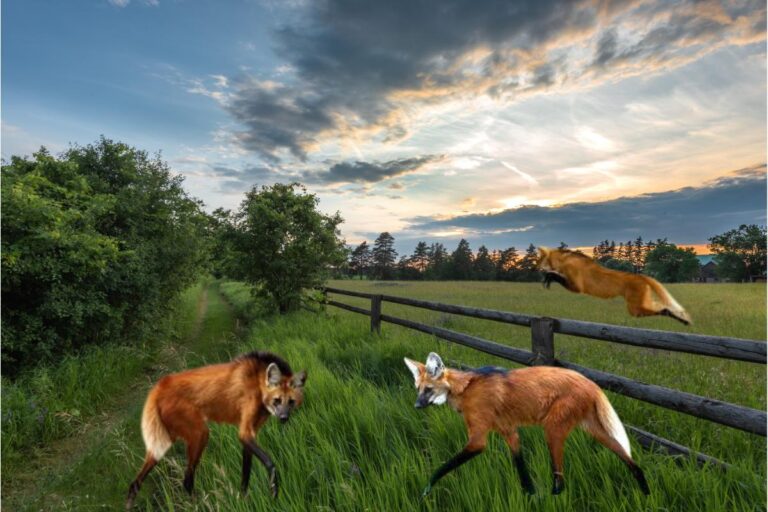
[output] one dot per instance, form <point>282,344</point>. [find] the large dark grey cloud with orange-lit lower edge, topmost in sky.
<point>363,70</point>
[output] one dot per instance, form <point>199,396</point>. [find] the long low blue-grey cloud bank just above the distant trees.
<point>688,215</point>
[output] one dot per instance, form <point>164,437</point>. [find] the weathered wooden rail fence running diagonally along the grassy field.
<point>542,352</point>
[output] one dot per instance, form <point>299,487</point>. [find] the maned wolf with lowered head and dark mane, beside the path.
<point>243,392</point>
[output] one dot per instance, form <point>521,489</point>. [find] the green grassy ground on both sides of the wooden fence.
<point>359,444</point>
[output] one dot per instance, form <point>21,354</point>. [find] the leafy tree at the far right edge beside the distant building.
<point>740,253</point>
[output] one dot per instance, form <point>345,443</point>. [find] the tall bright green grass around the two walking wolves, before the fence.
<point>359,444</point>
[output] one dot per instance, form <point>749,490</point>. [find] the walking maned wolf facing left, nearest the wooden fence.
<point>496,399</point>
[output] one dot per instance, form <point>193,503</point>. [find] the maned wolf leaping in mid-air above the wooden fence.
<point>578,273</point>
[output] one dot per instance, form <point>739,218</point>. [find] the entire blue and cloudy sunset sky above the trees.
<point>502,122</point>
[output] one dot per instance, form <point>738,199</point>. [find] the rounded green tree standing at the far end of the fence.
<point>284,244</point>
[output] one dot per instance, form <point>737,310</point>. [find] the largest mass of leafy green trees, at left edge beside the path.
<point>95,244</point>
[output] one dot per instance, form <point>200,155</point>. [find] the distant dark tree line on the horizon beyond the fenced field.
<point>739,254</point>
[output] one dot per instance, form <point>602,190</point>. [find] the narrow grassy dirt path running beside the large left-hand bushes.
<point>35,487</point>
